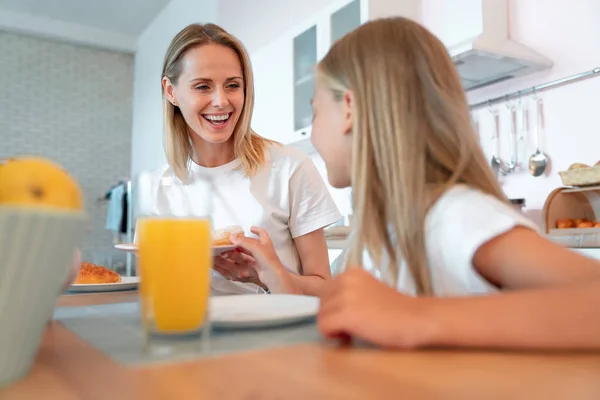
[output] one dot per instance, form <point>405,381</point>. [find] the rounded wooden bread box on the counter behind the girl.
<point>573,203</point>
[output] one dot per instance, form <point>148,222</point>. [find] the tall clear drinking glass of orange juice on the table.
<point>175,263</point>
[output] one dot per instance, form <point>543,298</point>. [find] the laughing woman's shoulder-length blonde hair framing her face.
<point>248,146</point>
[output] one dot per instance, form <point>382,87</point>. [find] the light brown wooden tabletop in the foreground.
<point>68,368</point>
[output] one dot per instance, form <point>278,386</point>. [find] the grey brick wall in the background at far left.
<point>71,104</point>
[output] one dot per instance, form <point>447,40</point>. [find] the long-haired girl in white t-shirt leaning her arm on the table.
<point>450,262</point>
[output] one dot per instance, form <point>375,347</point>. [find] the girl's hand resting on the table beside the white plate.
<point>355,304</point>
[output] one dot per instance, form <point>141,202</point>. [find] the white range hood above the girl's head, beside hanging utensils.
<point>490,56</point>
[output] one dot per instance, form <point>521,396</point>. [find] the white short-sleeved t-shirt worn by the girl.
<point>460,222</point>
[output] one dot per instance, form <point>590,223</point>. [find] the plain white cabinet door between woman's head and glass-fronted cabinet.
<point>273,105</point>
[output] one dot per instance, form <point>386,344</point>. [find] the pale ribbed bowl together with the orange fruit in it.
<point>42,220</point>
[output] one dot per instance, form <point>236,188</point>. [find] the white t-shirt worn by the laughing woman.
<point>287,197</point>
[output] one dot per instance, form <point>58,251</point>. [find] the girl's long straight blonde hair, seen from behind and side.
<point>412,139</point>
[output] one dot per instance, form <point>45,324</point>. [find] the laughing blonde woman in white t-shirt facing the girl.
<point>271,190</point>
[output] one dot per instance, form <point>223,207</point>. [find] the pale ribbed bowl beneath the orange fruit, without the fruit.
<point>36,251</point>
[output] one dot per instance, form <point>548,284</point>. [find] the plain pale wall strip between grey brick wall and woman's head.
<point>147,146</point>
